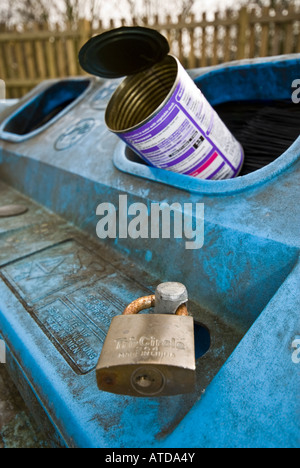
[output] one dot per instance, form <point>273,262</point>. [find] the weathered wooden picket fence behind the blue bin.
<point>31,56</point>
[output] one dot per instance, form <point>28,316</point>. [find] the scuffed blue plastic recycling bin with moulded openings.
<point>61,284</point>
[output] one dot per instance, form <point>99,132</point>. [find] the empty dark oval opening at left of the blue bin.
<point>45,106</point>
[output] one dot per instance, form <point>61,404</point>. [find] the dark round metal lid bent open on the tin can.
<point>123,51</point>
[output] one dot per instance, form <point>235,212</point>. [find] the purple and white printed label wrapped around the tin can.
<point>187,136</point>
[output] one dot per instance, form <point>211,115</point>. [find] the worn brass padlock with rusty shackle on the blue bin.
<point>149,355</point>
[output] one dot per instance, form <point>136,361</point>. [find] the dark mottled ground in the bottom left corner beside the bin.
<point>17,427</point>
